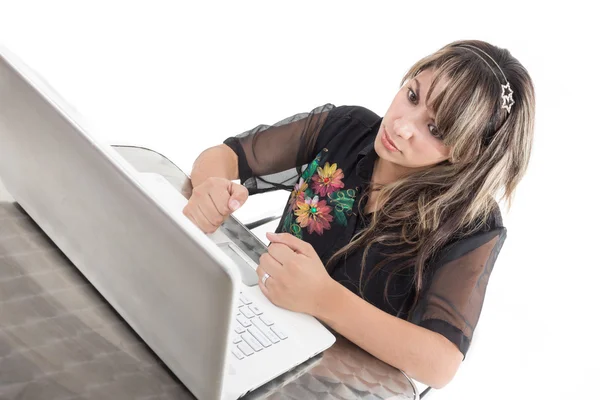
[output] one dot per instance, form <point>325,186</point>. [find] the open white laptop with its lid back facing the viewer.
<point>190,296</point>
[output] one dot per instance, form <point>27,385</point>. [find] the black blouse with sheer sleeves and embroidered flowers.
<point>325,158</point>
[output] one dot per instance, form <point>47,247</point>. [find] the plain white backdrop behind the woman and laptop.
<point>179,77</point>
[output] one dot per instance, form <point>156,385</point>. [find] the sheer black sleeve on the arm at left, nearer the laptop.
<point>271,156</point>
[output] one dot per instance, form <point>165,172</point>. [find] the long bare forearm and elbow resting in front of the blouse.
<point>424,355</point>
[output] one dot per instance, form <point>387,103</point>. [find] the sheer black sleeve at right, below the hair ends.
<point>452,302</point>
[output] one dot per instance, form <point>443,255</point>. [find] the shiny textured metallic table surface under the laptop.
<point>59,339</point>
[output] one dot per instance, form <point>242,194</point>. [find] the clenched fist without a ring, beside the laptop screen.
<point>212,201</point>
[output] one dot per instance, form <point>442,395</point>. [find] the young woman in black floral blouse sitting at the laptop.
<point>392,228</point>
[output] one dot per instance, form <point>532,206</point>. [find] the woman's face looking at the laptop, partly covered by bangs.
<point>408,136</point>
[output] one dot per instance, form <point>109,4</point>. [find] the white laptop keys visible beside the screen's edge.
<point>254,331</point>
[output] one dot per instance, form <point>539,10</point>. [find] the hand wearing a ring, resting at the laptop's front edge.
<point>298,280</point>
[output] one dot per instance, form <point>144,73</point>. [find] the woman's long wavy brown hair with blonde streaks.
<point>490,153</point>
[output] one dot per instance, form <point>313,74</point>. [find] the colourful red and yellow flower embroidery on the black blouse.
<point>308,210</point>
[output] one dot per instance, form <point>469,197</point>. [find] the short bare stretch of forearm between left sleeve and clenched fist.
<point>219,161</point>
